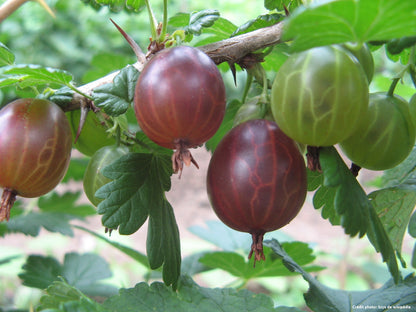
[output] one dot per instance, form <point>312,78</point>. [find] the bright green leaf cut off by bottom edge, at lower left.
<point>63,297</point>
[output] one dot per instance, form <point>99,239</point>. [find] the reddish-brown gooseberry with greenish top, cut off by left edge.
<point>35,149</point>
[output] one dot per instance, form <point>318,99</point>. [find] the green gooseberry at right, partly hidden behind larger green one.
<point>385,136</point>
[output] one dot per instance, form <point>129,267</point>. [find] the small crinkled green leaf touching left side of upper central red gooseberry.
<point>115,98</point>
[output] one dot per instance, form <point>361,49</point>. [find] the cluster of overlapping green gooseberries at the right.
<point>320,97</point>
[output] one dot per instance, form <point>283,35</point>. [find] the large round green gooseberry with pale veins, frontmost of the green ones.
<point>319,95</point>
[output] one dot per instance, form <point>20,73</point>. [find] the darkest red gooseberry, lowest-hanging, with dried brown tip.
<point>256,180</point>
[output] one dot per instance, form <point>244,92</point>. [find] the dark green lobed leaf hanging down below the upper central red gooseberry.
<point>137,191</point>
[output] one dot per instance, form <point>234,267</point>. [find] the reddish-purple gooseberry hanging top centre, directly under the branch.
<point>180,101</point>
